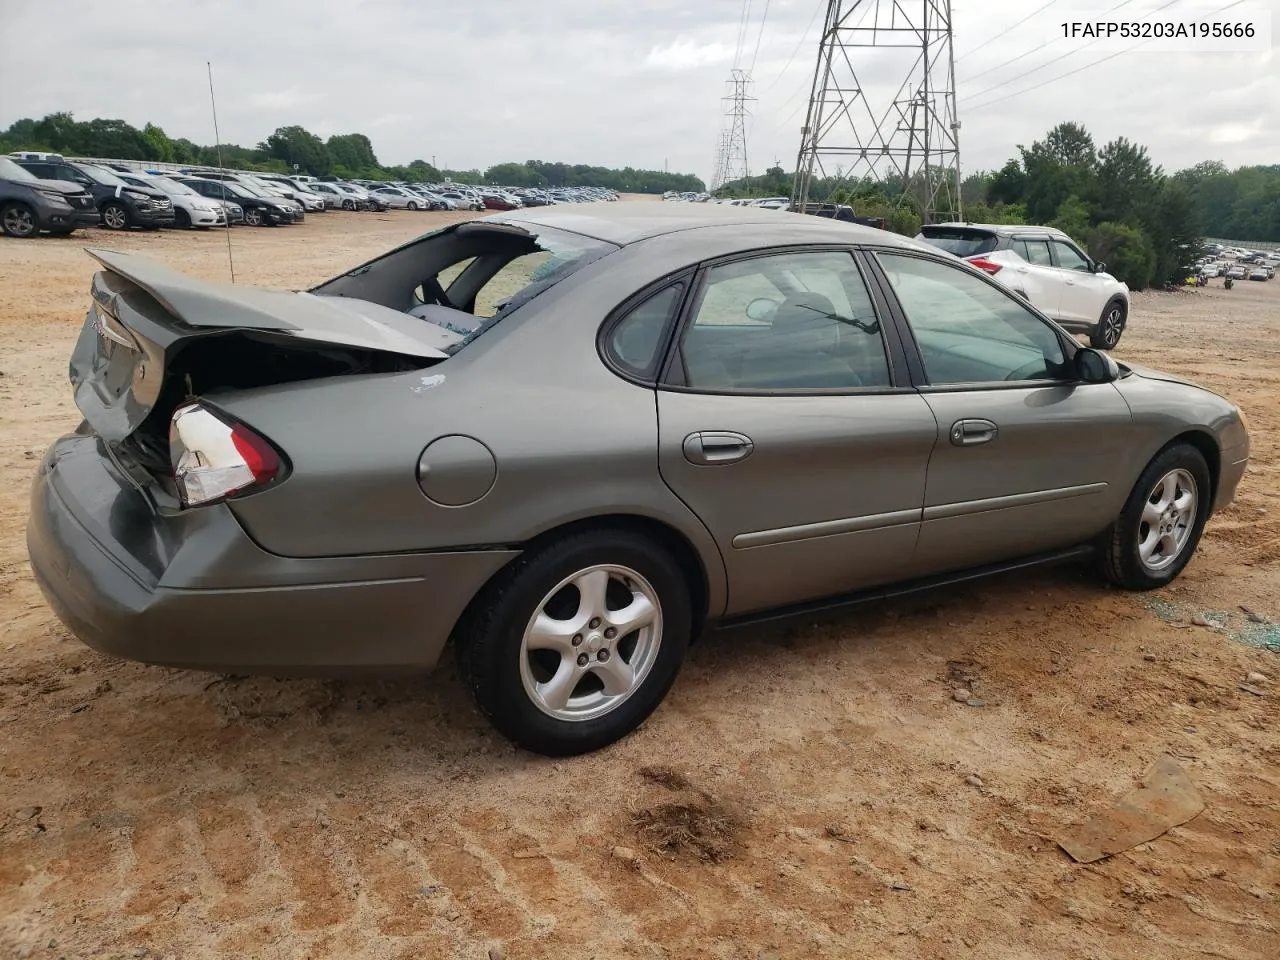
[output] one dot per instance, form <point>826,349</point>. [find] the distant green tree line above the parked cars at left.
<point>296,150</point>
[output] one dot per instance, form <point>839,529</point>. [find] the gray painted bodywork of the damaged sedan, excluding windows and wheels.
<point>349,561</point>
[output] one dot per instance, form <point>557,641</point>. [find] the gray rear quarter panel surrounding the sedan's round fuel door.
<point>572,440</point>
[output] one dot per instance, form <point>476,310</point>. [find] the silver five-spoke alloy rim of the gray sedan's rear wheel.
<point>592,643</point>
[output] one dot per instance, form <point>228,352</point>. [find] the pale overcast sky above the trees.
<point>610,83</point>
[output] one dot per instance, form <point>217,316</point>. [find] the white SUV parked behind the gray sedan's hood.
<point>1046,268</point>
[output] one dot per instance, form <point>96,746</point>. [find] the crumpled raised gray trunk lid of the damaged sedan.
<point>156,340</point>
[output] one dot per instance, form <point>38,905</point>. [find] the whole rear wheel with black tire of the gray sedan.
<point>575,646</point>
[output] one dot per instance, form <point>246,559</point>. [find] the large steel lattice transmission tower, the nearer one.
<point>874,134</point>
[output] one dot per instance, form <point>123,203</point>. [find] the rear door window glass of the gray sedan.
<point>789,322</point>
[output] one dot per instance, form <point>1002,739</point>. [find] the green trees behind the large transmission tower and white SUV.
<point>1146,225</point>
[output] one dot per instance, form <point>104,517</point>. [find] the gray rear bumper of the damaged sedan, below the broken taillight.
<point>190,589</point>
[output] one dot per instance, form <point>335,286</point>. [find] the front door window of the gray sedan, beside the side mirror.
<point>968,331</point>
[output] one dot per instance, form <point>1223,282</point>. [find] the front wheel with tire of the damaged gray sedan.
<point>1160,527</point>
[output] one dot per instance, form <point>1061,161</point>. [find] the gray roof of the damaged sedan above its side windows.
<point>639,221</point>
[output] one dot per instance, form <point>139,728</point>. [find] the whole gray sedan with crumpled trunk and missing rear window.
<point>570,440</point>
